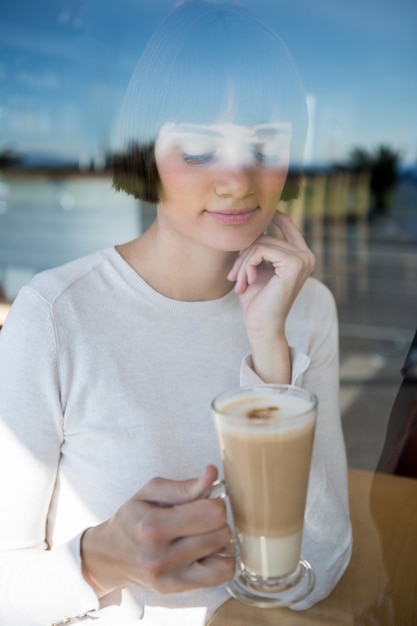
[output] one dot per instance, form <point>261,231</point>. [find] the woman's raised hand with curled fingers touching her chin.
<point>269,275</point>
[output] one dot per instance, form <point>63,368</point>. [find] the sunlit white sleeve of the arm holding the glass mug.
<point>38,584</point>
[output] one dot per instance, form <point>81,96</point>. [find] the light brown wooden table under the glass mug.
<point>379,588</point>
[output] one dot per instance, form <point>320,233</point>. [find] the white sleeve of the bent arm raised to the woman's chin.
<point>327,539</point>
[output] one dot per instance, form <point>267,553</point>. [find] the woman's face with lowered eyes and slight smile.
<point>221,184</point>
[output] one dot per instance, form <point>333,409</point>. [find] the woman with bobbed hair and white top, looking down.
<point>109,364</point>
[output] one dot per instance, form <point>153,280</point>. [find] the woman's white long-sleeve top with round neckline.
<point>105,384</point>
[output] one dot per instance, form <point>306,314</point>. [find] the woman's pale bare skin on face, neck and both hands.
<point>220,187</point>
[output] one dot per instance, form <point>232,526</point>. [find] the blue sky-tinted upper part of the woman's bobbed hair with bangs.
<point>218,64</point>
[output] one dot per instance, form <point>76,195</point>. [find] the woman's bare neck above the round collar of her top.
<point>178,270</point>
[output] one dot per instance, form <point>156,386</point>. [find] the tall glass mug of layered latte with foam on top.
<point>266,438</point>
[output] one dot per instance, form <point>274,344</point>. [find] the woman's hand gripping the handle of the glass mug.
<point>166,537</point>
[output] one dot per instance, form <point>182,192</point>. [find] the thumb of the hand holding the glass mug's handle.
<point>164,492</point>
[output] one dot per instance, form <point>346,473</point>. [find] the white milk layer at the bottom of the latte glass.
<point>270,557</point>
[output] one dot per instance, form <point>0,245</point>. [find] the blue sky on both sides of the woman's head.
<point>65,65</point>
